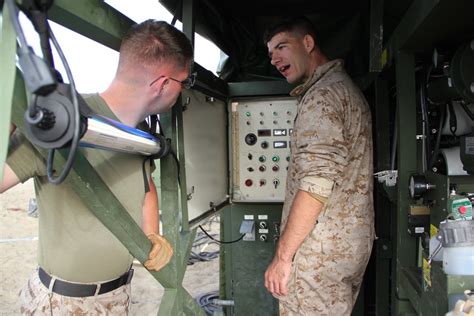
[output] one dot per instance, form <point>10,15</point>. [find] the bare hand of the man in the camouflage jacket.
<point>277,276</point>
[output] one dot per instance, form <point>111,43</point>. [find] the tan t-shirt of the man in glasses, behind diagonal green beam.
<point>73,244</point>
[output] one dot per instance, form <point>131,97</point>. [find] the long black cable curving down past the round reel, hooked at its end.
<point>77,120</point>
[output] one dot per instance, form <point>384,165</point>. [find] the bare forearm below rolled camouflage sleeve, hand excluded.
<point>303,215</point>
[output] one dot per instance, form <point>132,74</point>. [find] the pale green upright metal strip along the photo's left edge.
<point>7,80</point>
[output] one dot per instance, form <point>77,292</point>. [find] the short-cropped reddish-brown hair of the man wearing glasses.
<point>154,42</point>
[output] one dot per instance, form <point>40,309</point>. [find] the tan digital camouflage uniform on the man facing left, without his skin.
<point>332,141</point>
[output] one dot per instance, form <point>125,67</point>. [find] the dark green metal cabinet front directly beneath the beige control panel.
<point>246,261</point>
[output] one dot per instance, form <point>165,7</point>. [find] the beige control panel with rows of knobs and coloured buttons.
<point>261,130</point>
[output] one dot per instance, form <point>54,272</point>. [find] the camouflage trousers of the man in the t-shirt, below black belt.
<point>36,299</point>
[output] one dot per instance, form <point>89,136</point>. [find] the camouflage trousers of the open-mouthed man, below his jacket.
<point>326,280</point>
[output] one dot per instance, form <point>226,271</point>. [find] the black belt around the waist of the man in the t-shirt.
<point>82,290</point>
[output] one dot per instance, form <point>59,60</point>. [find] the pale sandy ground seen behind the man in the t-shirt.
<point>18,243</point>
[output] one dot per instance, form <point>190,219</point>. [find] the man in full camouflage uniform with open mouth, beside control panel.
<point>330,237</point>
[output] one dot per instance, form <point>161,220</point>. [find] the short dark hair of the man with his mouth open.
<point>299,25</point>
